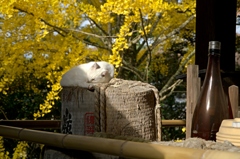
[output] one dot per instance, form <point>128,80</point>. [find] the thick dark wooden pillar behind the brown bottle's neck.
<point>216,20</point>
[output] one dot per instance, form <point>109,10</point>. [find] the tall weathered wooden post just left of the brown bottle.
<point>193,89</point>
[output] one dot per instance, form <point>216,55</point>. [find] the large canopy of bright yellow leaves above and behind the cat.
<point>37,38</point>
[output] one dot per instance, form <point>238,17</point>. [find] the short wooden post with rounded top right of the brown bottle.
<point>233,96</point>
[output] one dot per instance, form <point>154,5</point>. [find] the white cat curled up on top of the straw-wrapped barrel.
<point>85,75</point>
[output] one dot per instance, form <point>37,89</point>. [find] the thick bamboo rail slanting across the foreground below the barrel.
<point>112,146</point>
